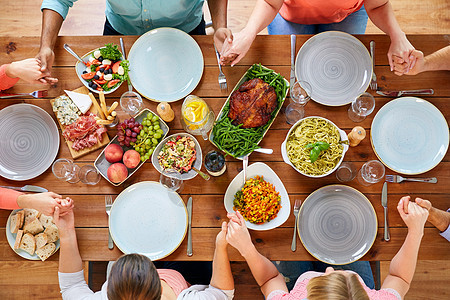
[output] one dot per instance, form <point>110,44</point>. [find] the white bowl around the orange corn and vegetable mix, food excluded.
<point>270,176</point>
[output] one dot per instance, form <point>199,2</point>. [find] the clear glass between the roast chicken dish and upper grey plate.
<point>299,92</point>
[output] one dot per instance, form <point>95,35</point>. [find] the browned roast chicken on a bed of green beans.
<point>252,104</point>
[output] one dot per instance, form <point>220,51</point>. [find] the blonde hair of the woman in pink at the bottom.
<point>336,286</point>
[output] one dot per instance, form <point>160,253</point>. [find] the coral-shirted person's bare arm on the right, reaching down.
<point>382,15</point>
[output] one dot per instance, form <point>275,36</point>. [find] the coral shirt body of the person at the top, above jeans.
<point>318,11</point>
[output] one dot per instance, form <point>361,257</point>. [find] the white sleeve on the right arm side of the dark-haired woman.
<point>205,292</point>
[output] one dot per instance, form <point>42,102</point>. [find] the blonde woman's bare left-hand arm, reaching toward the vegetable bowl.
<point>263,270</point>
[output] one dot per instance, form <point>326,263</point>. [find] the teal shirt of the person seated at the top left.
<point>133,17</point>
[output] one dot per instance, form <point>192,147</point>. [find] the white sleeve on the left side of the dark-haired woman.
<point>73,286</point>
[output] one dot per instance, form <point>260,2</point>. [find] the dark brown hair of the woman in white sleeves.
<point>134,277</point>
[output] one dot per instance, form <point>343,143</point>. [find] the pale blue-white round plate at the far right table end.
<point>409,135</point>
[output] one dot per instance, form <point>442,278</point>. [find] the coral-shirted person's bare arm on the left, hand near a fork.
<point>263,13</point>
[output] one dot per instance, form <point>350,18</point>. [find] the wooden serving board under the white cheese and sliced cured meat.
<point>71,117</point>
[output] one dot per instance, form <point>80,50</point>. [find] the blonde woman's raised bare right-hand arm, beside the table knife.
<point>403,265</point>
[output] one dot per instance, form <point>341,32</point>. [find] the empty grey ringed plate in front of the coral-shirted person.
<point>336,65</point>
